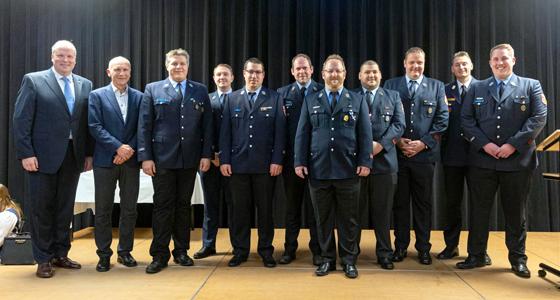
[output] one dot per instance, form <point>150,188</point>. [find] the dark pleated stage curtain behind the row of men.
<point>230,31</point>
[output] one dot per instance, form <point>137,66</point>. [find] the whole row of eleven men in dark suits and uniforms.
<point>341,153</point>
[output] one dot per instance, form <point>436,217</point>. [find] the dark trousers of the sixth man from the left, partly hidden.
<point>297,196</point>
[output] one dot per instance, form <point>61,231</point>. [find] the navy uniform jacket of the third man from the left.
<point>175,133</point>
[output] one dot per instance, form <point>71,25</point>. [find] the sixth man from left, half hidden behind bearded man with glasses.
<point>297,192</point>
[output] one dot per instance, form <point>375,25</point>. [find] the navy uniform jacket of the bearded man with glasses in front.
<point>333,144</point>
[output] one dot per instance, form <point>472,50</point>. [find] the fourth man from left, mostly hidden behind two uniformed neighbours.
<point>216,186</point>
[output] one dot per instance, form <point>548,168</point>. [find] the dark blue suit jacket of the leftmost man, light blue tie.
<point>42,121</point>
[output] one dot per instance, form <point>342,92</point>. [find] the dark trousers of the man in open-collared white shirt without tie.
<point>105,182</point>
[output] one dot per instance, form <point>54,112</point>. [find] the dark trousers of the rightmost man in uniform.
<point>514,189</point>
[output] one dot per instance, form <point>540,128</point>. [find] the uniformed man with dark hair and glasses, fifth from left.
<point>252,148</point>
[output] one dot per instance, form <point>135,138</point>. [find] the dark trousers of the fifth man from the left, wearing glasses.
<point>248,190</point>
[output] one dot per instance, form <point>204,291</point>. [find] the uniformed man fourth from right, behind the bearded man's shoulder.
<point>378,189</point>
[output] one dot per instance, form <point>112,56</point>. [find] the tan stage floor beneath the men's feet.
<point>212,279</point>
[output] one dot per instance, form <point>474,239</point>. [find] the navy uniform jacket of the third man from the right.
<point>426,115</point>
